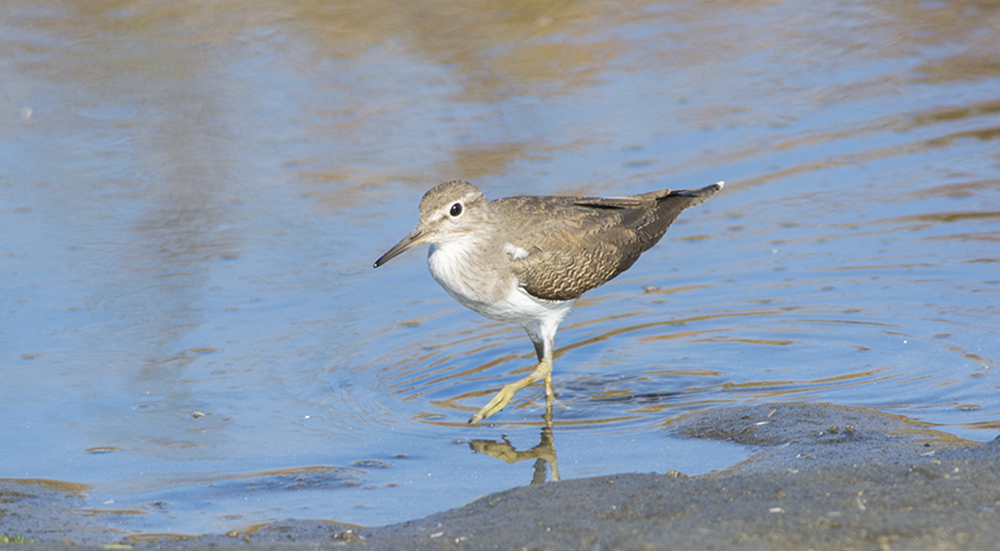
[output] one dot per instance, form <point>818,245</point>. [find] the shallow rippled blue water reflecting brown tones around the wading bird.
<point>192,195</point>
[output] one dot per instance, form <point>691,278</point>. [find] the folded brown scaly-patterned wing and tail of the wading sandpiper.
<point>576,244</point>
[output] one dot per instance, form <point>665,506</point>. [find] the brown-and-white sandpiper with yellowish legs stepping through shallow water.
<point>527,259</point>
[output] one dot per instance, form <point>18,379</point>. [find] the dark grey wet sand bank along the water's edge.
<point>822,477</point>
